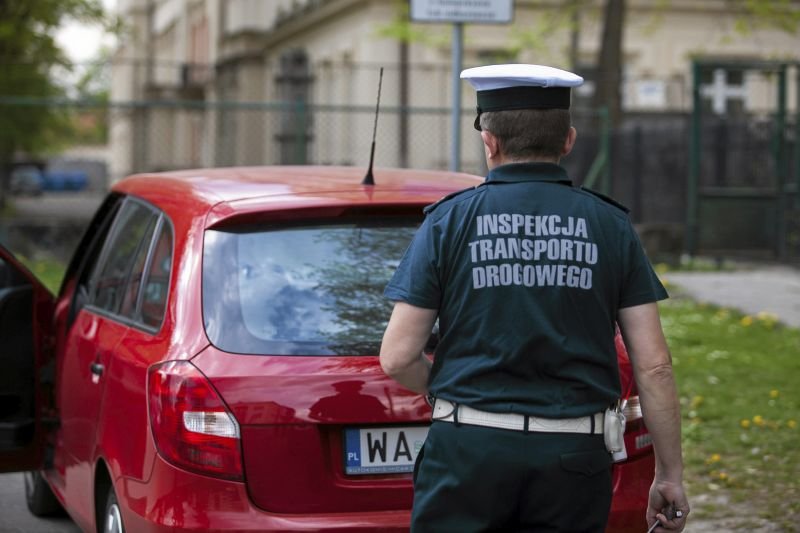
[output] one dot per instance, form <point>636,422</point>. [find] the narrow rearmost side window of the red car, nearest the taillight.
<point>156,285</point>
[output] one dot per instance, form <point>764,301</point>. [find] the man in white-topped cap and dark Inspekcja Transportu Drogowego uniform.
<point>528,276</point>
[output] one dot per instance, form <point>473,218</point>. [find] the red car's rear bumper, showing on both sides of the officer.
<point>176,500</point>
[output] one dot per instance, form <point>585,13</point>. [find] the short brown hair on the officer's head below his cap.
<point>527,133</point>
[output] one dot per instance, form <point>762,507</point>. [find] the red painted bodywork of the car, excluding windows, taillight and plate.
<point>291,411</point>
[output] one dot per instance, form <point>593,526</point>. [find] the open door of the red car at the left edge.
<point>26,365</point>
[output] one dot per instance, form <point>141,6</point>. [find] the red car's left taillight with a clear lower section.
<point>191,426</point>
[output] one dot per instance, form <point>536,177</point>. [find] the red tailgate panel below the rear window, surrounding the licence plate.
<point>304,417</point>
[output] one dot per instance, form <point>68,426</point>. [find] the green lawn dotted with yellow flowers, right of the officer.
<point>738,382</point>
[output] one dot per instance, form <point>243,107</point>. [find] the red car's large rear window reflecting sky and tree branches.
<point>311,289</point>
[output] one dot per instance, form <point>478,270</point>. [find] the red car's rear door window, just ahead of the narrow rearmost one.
<point>124,254</point>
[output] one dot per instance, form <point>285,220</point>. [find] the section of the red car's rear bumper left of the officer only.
<point>176,500</point>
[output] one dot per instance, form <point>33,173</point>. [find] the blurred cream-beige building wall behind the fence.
<point>344,43</point>
